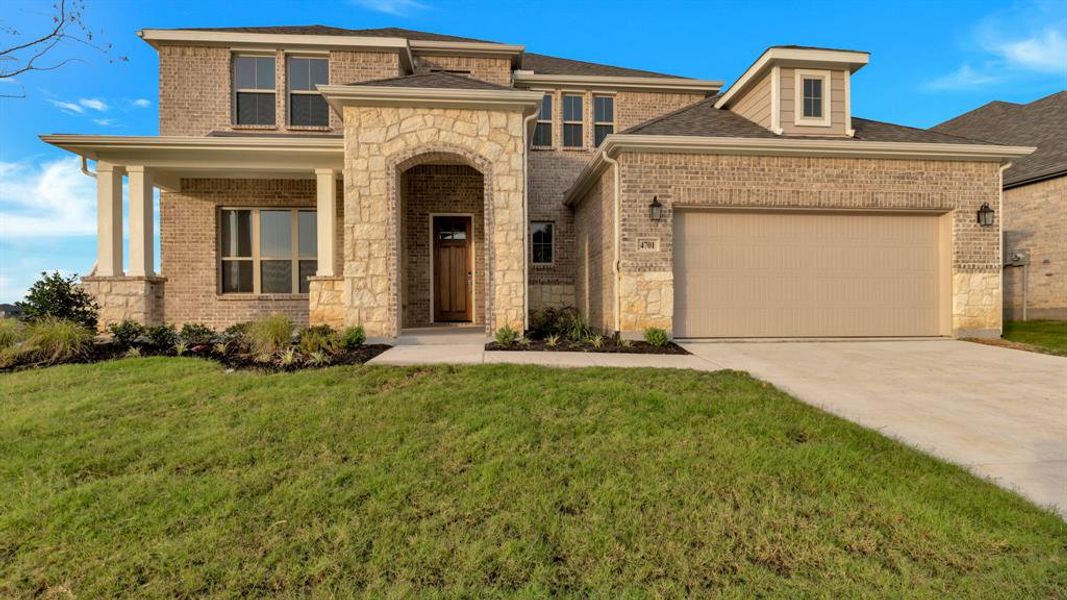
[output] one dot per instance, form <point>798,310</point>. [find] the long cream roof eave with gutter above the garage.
<point>617,144</point>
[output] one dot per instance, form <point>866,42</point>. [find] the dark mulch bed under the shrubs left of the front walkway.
<point>106,352</point>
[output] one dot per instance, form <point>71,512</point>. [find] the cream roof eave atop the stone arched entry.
<point>340,97</point>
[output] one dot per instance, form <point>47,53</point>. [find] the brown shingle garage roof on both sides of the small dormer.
<point>704,119</point>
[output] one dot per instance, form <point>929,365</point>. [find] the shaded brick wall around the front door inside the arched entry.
<point>439,190</point>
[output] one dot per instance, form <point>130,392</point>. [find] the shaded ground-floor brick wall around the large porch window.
<point>189,249</point>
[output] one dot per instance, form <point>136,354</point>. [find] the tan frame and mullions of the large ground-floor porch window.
<point>257,259</point>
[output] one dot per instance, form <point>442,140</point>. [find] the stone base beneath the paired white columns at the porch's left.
<point>126,298</point>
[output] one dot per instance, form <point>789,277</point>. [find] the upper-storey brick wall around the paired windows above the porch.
<point>196,88</point>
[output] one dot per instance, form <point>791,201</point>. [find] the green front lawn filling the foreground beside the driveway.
<point>168,478</point>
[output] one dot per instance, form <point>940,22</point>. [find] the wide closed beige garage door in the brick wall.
<point>807,275</point>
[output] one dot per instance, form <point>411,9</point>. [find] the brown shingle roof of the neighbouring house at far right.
<point>1043,123</point>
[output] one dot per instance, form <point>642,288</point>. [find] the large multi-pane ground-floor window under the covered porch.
<point>267,250</point>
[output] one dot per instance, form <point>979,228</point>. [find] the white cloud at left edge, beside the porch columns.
<point>50,200</point>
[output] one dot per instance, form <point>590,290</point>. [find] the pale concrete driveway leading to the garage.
<point>1000,413</point>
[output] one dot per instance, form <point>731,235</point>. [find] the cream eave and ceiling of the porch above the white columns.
<point>172,157</point>
